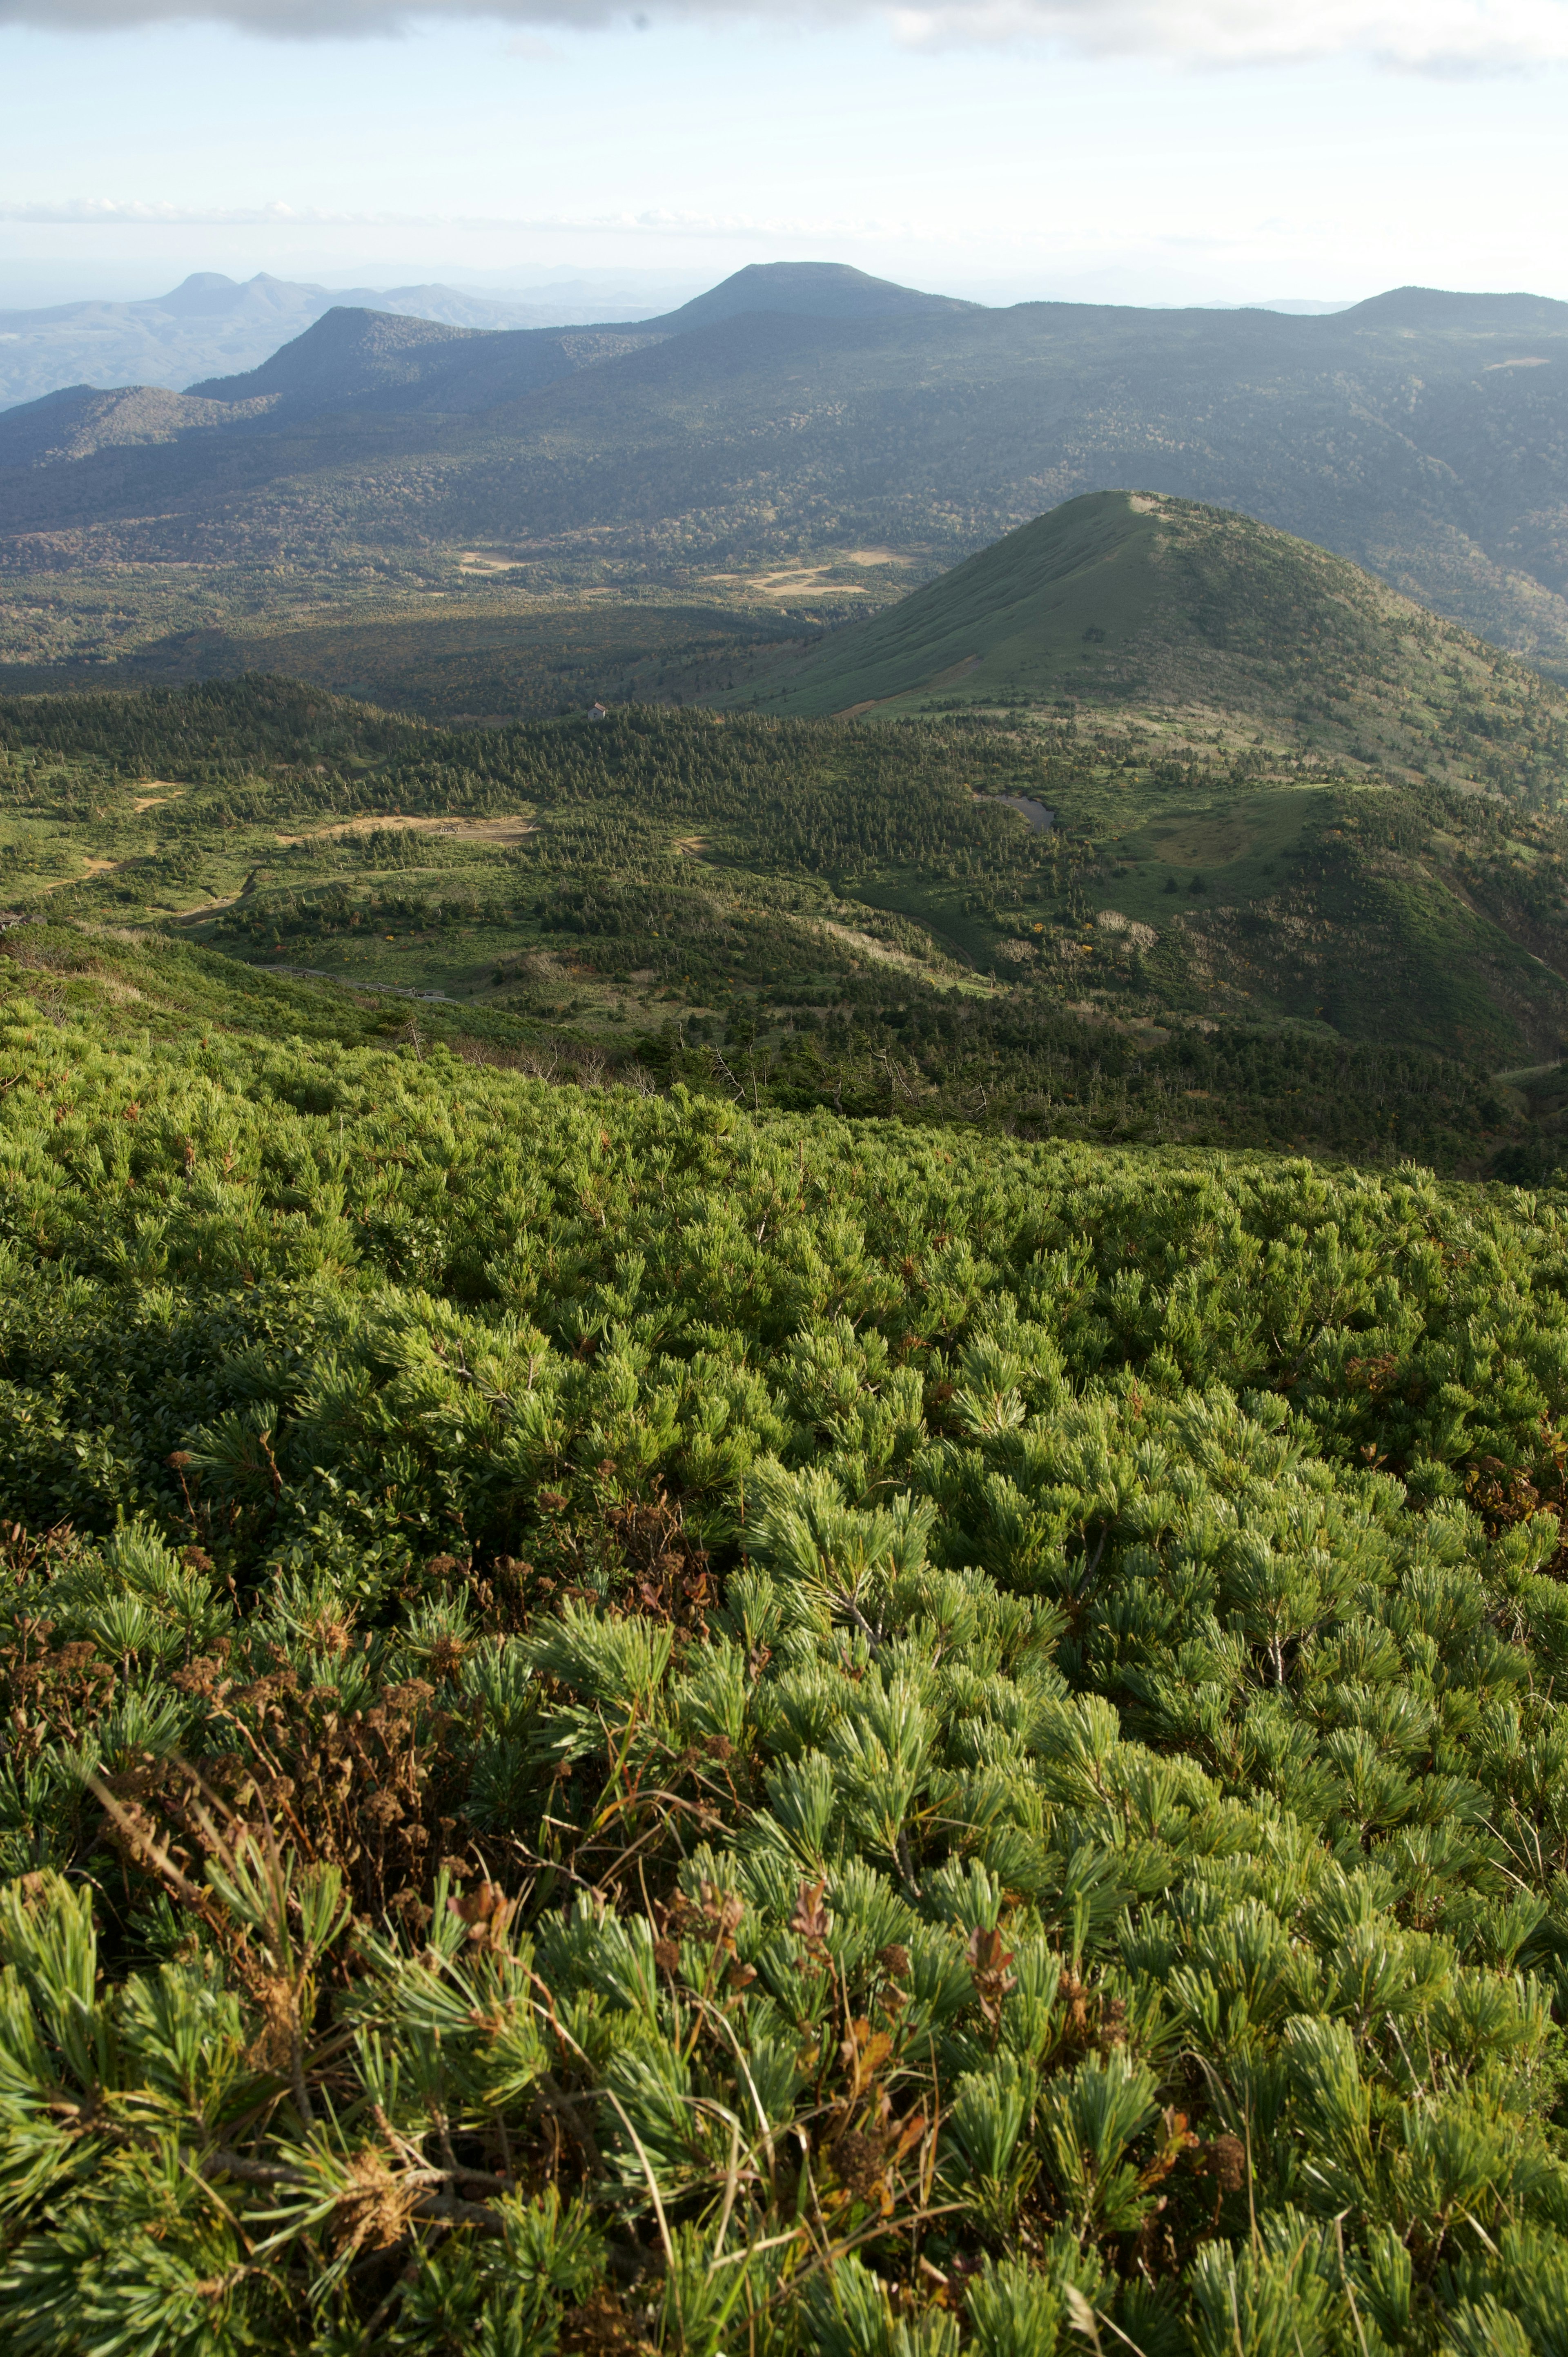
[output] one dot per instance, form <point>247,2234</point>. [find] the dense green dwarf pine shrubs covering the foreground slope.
<point>633,1727</point>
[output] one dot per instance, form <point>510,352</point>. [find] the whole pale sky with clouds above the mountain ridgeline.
<point>1088,150</point>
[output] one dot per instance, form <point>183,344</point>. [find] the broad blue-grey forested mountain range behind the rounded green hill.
<point>803,409</point>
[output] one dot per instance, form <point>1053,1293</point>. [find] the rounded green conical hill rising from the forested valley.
<point>1138,602</point>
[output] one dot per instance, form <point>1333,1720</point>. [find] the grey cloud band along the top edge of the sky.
<point>1437,37</point>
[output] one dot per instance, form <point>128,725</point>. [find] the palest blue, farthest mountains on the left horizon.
<point>216,326</point>
